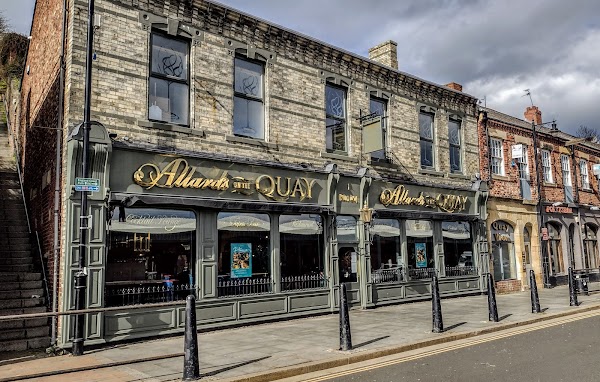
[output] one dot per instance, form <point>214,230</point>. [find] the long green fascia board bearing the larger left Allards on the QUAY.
<point>142,173</point>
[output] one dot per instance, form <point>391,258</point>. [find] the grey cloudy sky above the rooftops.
<point>494,49</point>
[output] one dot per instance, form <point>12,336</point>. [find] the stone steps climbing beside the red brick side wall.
<point>21,285</point>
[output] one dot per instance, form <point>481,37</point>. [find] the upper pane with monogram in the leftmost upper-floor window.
<point>169,57</point>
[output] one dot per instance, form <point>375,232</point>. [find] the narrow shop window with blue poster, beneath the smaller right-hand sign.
<point>419,241</point>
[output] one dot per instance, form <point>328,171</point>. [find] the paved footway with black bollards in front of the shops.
<point>277,350</point>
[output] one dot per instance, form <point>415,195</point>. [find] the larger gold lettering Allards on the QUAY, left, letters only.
<point>178,173</point>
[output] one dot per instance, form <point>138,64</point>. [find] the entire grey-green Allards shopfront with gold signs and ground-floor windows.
<point>256,242</point>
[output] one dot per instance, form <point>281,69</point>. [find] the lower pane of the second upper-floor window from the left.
<point>248,118</point>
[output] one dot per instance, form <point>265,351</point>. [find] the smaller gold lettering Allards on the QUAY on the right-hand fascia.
<point>445,202</point>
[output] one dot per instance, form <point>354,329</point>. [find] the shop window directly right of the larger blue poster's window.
<point>302,256</point>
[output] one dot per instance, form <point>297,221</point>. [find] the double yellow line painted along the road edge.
<point>462,344</point>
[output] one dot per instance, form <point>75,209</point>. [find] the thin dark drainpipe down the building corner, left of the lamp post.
<point>57,172</point>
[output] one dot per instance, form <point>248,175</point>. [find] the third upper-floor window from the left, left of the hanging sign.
<point>335,118</point>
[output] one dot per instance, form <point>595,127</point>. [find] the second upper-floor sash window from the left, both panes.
<point>248,100</point>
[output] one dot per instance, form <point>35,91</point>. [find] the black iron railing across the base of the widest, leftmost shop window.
<point>135,295</point>
